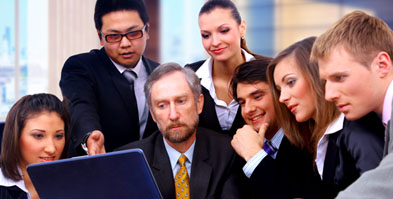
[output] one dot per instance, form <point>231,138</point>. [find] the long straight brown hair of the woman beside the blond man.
<point>306,134</point>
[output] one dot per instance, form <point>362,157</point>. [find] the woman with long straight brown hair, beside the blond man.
<point>342,149</point>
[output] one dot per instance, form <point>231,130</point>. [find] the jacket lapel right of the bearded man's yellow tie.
<point>201,170</point>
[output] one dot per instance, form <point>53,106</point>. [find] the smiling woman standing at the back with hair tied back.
<point>222,31</point>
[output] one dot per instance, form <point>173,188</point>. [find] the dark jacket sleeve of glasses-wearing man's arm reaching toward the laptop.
<point>78,85</point>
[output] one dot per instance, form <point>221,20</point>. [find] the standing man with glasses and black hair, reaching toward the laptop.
<point>102,84</point>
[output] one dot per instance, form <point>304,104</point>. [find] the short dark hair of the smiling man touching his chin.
<point>250,72</point>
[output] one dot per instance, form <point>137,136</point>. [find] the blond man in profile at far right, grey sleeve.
<point>354,57</point>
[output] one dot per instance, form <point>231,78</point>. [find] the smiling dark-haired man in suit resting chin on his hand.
<point>276,168</point>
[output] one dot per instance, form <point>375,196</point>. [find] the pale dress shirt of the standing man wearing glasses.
<point>139,83</point>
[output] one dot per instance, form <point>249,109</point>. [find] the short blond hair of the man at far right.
<point>360,34</point>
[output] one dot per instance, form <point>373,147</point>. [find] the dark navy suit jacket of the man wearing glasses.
<point>101,100</point>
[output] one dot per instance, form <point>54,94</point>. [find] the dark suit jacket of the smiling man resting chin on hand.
<point>290,175</point>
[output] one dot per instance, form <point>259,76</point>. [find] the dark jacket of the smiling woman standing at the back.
<point>208,118</point>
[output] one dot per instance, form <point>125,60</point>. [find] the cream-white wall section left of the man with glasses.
<point>71,31</point>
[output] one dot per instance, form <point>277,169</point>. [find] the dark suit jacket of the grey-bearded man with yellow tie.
<point>214,171</point>
